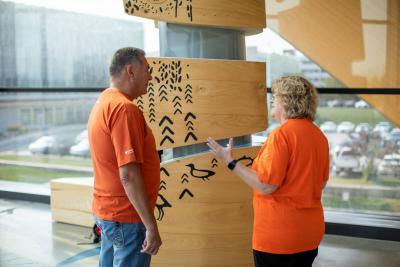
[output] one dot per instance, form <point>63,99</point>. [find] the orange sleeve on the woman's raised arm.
<point>273,162</point>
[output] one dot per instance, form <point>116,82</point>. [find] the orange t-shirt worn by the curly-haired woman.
<point>295,158</point>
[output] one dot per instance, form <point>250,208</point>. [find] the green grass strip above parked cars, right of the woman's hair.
<point>355,115</point>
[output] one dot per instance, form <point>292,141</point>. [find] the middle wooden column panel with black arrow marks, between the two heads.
<point>189,100</point>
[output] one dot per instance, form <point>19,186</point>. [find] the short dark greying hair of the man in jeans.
<point>123,57</point>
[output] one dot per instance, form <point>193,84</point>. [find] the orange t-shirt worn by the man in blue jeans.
<point>118,135</point>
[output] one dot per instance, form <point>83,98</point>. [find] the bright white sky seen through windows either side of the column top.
<point>266,42</point>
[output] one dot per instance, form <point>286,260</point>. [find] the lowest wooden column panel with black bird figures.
<point>204,212</point>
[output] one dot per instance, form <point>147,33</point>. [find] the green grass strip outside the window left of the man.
<point>34,175</point>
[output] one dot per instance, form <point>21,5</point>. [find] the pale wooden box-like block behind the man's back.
<point>71,200</point>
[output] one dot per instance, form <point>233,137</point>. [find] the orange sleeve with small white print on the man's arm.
<point>127,135</point>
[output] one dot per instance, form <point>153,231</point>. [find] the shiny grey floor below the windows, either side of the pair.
<point>28,237</point>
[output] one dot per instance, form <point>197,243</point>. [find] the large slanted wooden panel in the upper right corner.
<point>357,41</point>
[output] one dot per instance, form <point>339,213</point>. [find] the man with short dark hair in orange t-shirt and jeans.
<point>126,166</point>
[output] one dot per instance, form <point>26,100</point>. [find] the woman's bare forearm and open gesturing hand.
<point>248,175</point>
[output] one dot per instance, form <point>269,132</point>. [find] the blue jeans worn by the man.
<point>121,244</point>
